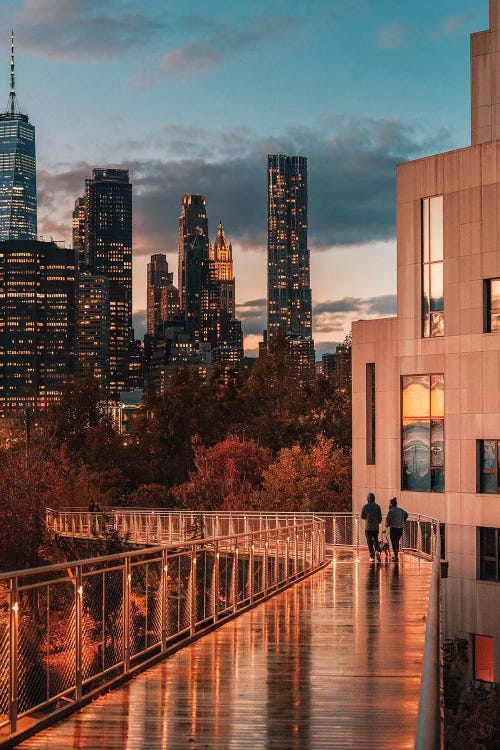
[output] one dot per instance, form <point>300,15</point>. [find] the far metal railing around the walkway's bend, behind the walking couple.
<point>140,526</point>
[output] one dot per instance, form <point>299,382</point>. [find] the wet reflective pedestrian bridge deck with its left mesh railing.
<point>333,662</point>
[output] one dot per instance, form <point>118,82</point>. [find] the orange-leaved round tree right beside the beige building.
<point>307,479</point>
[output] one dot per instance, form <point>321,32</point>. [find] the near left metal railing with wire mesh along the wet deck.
<point>67,630</point>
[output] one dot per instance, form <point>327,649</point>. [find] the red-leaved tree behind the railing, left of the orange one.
<point>226,475</point>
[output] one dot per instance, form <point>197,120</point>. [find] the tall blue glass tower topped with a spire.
<point>17,170</point>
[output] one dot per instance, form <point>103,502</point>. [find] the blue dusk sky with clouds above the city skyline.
<point>192,97</point>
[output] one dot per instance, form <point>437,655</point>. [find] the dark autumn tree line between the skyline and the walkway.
<point>220,443</point>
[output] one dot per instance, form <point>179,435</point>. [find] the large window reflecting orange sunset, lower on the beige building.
<point>422,440</point>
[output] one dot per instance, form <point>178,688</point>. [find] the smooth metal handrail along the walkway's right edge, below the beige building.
<point>429,725</point>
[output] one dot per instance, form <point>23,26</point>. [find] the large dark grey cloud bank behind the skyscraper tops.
<point>351,181</point>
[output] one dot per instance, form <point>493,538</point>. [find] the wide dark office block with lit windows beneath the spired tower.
<point>37,312</point>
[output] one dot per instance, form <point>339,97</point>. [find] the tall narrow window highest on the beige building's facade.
<point>432,267</point>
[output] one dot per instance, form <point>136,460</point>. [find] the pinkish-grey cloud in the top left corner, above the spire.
<point>76,30</point>
